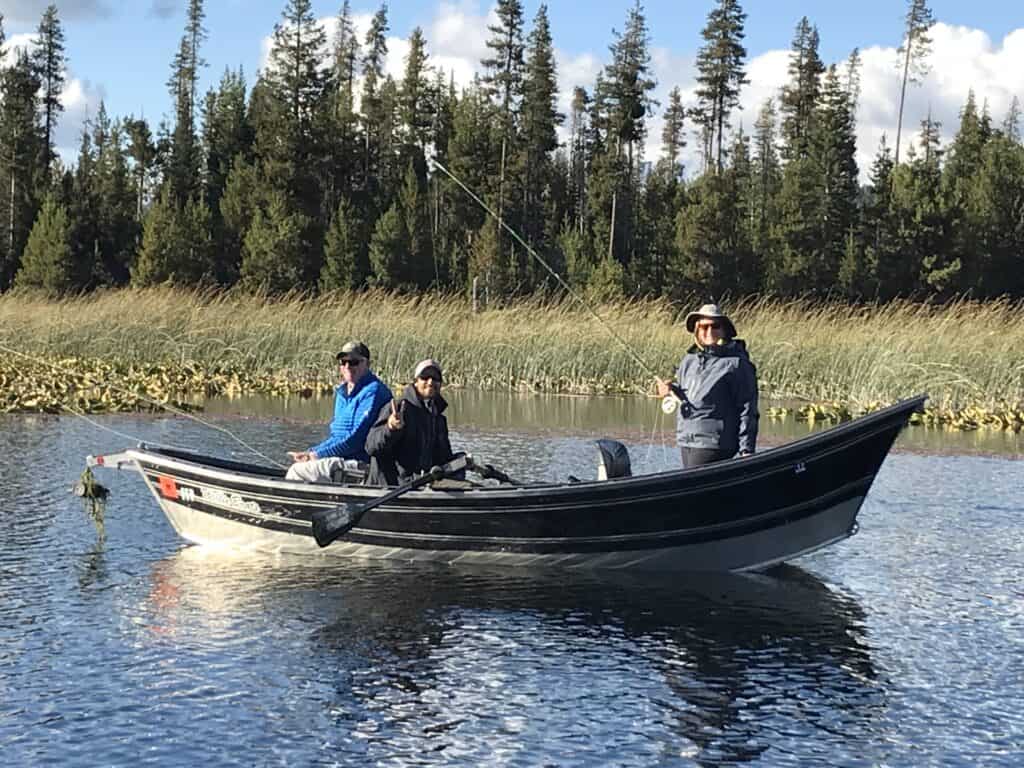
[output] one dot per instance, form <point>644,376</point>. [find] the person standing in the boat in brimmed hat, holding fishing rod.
<point>718,418</point>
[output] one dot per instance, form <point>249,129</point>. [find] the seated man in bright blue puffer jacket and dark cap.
<point>358,400</point>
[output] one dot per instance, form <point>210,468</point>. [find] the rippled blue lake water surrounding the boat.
<point>902,647</point>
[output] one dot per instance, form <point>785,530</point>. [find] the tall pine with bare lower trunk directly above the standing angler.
<point>720,74</point>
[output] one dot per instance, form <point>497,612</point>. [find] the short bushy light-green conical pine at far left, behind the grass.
<point>49,264</point>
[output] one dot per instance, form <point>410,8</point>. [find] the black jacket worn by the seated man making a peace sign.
<point>422,444</point>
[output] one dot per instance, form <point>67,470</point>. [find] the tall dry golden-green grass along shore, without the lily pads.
<point>964,354</point>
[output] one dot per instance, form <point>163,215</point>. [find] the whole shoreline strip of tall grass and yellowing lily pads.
<point>137,350</point>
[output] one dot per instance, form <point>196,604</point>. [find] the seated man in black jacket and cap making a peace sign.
<point>411,434</point>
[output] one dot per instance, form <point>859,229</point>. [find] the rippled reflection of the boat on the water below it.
<point>409,660</point>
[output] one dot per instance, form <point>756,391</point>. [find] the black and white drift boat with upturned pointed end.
<point>743,515</point>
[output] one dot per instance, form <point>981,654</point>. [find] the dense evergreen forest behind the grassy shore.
<point>328,175</point>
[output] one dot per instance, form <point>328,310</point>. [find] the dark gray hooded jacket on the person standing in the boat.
<point>721,411</point>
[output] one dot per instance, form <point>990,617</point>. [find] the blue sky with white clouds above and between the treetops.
<point>120,53</point>
